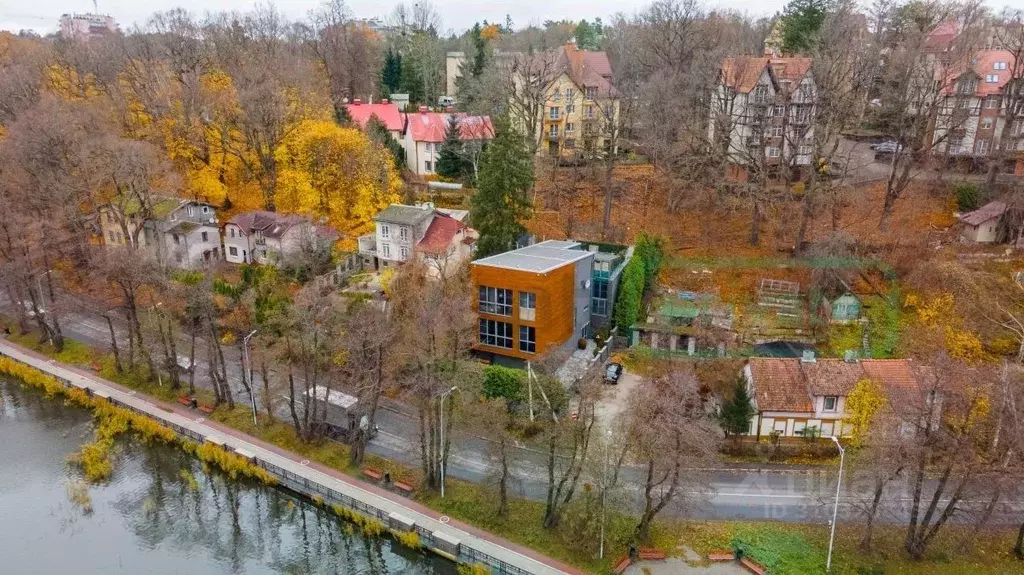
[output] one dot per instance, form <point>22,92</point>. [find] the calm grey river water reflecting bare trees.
<point>161,512</point>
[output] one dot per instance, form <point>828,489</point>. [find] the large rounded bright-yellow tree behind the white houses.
<point>329,171</point>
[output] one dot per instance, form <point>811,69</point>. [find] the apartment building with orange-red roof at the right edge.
<point>970,124</point>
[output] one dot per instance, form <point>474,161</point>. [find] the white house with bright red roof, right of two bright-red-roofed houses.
<point>425,134</point>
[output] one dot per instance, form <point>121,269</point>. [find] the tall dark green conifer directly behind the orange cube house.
<point>502,200</point>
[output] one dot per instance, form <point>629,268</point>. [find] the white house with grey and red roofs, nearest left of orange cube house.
<point>440,238</point>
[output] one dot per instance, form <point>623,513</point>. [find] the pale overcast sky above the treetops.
<point>42,16</point>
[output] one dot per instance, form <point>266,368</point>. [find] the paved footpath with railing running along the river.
<point>475,545</point>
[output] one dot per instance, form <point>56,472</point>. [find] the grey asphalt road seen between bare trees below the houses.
<point>733,493</point>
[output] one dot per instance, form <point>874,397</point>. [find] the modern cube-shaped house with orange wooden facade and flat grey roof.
<point>534,300</point>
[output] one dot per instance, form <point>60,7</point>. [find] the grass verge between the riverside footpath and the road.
<point>786,548</point>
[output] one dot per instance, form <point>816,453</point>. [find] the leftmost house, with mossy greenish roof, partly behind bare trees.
<point>182,233</point>
